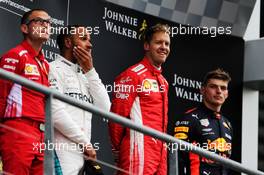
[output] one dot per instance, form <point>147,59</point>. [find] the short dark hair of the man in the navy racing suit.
<point>219,74</point>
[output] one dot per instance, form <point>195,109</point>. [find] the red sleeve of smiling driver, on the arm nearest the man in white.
<point>123,97</point>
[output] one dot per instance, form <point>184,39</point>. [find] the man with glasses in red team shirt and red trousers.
<point>22,110</point>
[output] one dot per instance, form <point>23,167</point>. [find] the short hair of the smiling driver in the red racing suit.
<point>156,28</point>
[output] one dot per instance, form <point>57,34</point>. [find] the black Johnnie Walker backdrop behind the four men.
<point>191,57</point>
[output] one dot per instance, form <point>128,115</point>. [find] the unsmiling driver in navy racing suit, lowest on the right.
<point>205,126</point>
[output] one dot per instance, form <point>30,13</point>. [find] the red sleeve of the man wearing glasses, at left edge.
<point>10,62</point>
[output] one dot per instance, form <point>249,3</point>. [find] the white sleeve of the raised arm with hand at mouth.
<point>98,90</point>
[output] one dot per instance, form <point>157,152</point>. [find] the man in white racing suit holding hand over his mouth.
<point>73,74</point>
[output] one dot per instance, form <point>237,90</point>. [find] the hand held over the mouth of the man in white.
<point>84,58</point>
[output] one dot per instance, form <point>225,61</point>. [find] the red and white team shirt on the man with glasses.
<point>17,100</point>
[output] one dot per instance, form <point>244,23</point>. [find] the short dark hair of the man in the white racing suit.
<point>64,33</point>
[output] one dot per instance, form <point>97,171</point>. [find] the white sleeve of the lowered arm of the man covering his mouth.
<point>62,120</point>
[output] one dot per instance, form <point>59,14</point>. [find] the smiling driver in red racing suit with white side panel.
<point>141,95</point>
